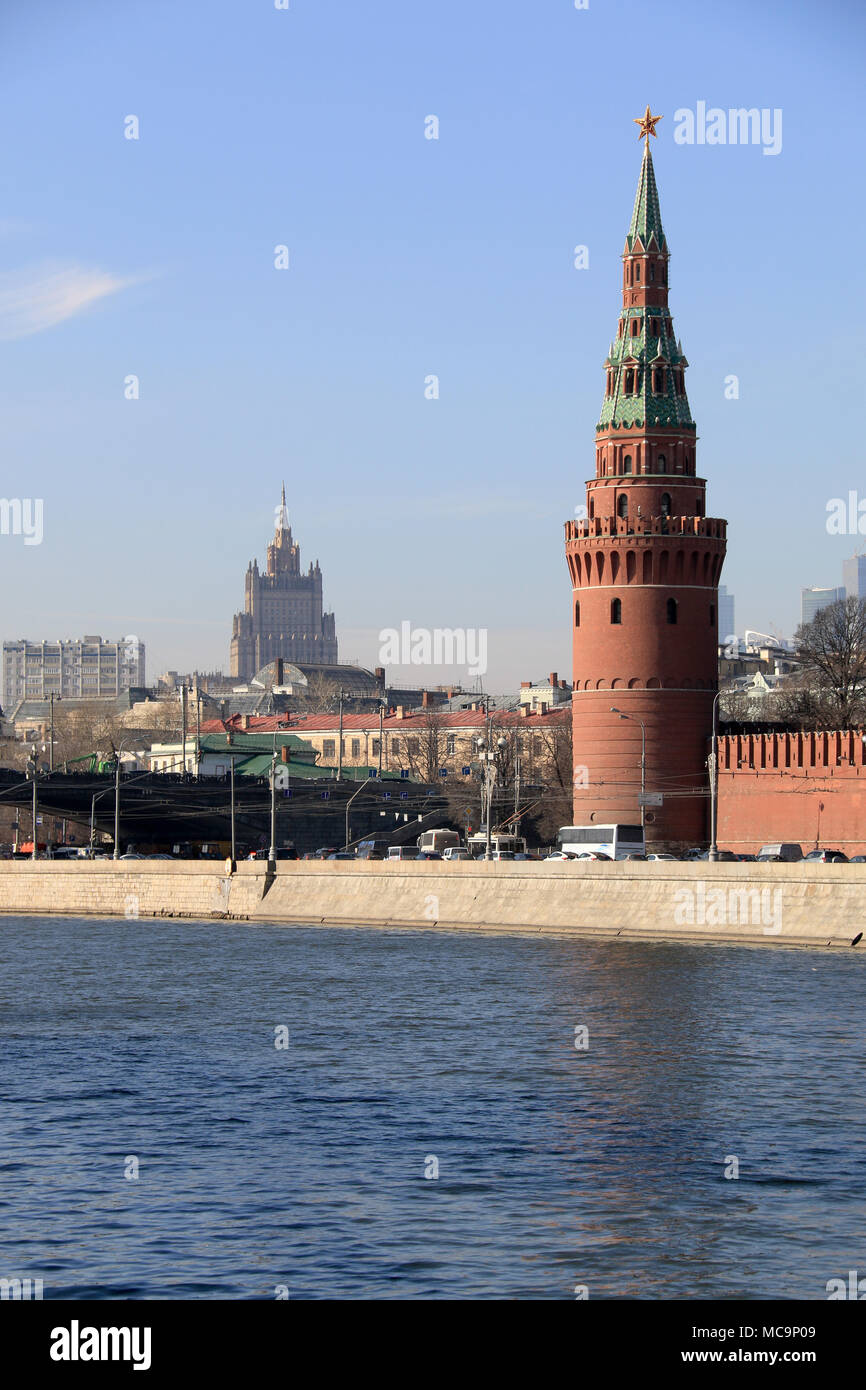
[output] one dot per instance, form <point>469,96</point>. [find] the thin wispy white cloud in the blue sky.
<point>44,297</point>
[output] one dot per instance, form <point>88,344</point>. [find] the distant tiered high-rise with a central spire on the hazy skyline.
<point>283,611</point>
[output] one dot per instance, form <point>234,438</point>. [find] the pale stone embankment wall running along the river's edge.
<point>821,906</point>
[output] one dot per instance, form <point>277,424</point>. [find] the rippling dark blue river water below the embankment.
<point>212,1110</point>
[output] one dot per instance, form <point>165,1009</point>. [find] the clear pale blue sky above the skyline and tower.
<point>408,258</point>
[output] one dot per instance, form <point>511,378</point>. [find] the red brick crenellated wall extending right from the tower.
<point>801,787</point>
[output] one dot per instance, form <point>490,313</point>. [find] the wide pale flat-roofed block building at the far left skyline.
<point>87,669</point>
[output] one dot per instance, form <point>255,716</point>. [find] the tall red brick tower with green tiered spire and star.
<point>646,569</point>
